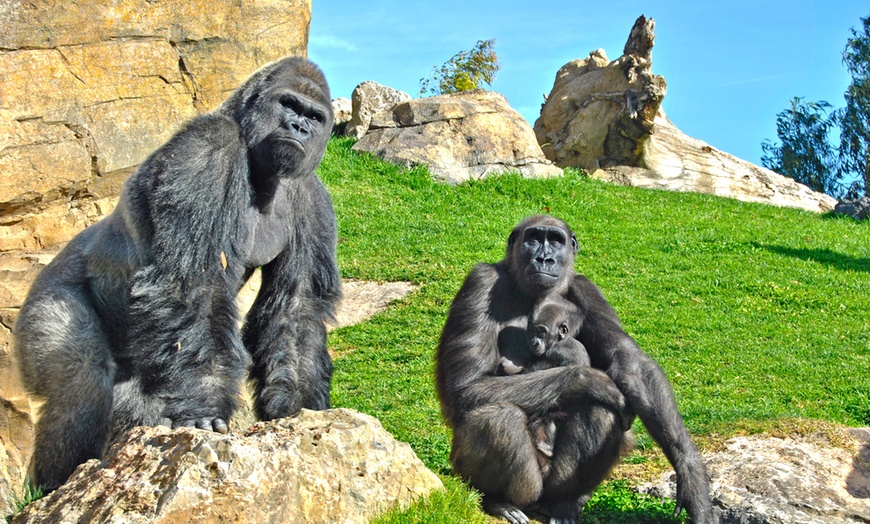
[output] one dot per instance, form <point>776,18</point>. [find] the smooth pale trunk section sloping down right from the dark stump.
<point>674,161</point>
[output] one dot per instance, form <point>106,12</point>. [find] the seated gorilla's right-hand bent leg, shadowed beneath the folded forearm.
<point>588,445</point>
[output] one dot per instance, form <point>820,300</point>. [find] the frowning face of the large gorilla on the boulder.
<point>291,123</point>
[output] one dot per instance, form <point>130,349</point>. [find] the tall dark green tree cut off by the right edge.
<point>854,119</point>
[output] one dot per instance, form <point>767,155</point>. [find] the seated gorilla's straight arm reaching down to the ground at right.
<point>647,392</point>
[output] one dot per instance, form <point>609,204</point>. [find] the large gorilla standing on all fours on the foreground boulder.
<point>135,322</point>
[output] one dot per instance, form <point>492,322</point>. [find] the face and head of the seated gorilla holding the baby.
<point>546,255</point>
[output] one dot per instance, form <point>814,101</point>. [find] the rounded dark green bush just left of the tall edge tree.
<point>806,153</point>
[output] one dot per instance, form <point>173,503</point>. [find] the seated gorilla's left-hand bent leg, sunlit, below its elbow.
<point>493,450</point>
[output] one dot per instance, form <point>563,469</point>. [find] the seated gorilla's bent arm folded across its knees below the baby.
<point>468,358</point>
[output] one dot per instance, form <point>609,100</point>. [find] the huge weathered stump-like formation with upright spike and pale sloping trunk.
<point>605,117</point>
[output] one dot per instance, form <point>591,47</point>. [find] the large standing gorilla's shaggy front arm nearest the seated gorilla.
<point>285,330</point>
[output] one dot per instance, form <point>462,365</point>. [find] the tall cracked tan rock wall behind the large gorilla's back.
<point>90,89</point>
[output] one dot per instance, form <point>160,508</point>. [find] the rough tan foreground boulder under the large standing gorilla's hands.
<point>322,466</point>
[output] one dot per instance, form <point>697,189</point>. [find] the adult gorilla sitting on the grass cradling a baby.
<point>489,412</point>
